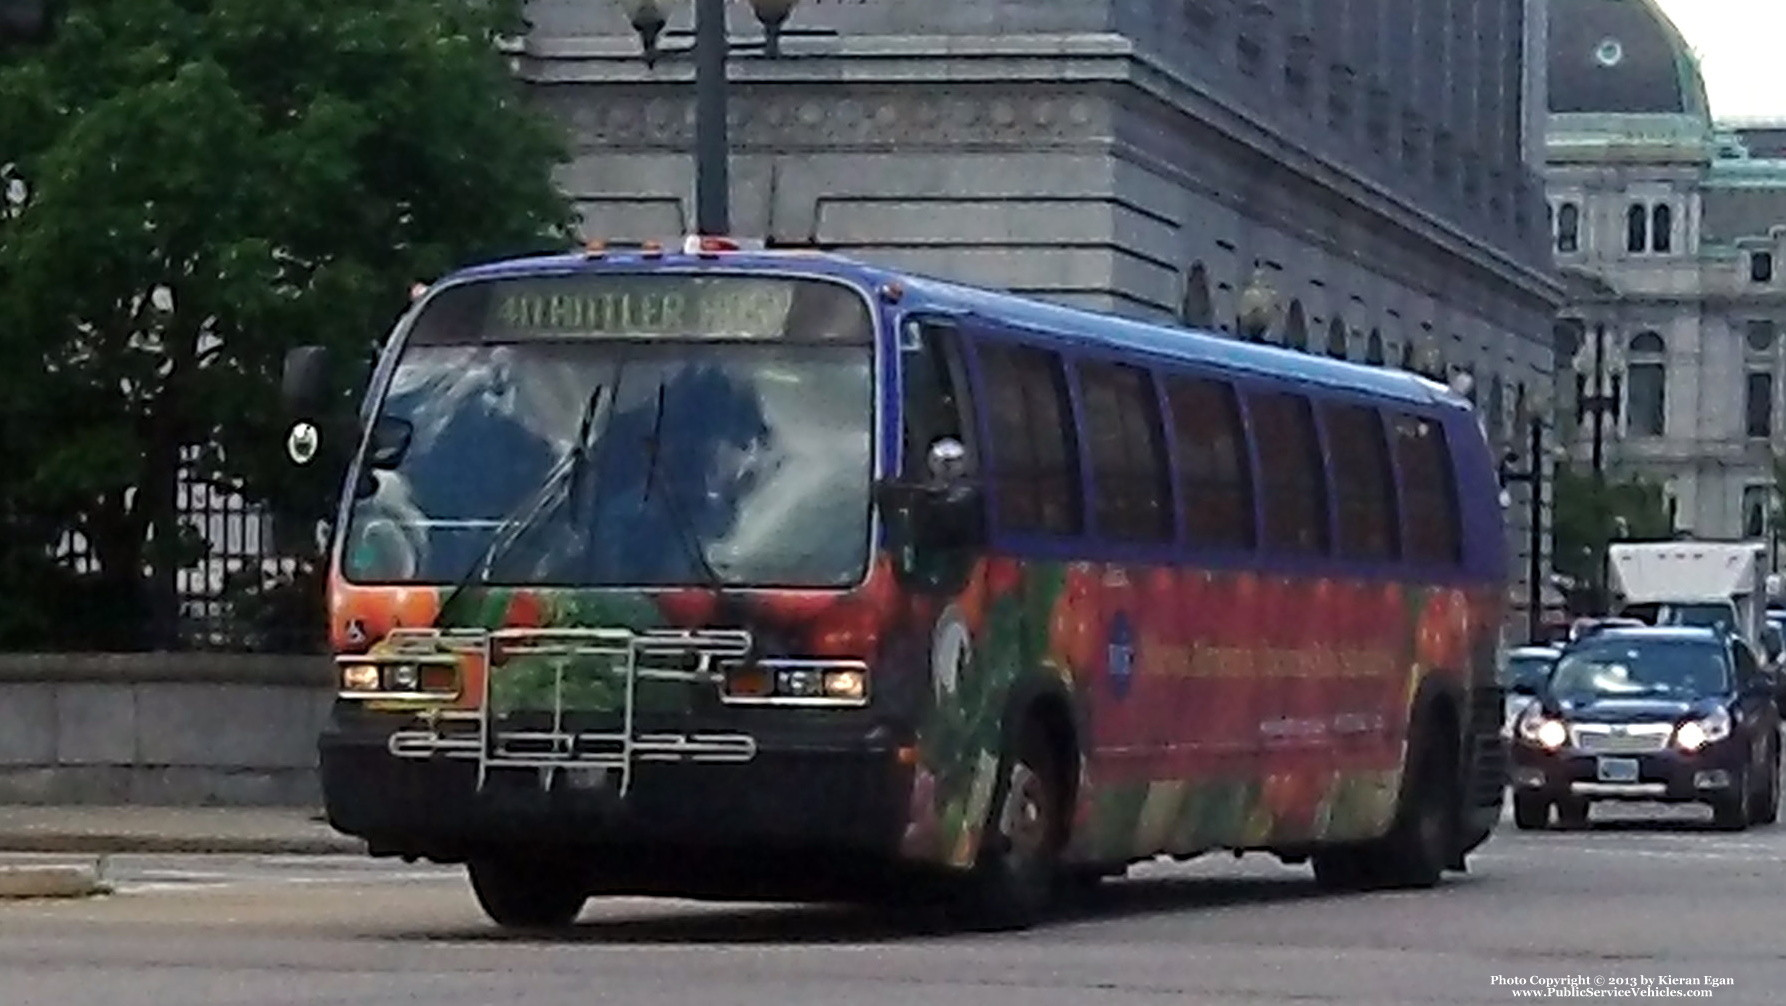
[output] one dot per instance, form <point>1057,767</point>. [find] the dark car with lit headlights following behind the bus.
<point>1655,716</point>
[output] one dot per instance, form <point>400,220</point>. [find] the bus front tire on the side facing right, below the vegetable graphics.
<point>1019,873</point>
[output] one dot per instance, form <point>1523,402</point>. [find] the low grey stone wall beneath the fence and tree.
<point>162,730</point>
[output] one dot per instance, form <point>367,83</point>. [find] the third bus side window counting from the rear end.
<point>1294,478</point>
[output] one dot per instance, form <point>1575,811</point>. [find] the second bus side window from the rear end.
<point>1364,483</point>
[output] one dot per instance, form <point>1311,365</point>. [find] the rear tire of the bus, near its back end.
<point>1421,843</point>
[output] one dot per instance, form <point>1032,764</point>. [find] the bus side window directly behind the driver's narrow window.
<point>1033,444</point>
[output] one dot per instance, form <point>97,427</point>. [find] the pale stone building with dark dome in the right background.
<point>1673,237</point>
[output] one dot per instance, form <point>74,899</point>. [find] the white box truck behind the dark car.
<point>1694,583</point>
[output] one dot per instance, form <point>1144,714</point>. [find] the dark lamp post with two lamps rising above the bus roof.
<point>712,51</point>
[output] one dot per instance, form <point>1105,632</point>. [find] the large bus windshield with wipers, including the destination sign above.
<point>728,423</point>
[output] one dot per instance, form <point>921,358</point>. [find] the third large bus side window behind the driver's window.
<point>1215,473</point>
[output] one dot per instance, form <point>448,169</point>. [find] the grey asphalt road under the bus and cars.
<point>1624,903</point>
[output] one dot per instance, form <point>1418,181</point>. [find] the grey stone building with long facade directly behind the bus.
<point>1362,174</point>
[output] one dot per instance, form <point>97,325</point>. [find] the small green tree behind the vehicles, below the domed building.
<point>1587,519</point>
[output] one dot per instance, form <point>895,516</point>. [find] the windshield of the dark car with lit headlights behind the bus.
<point>1651,669</point>
